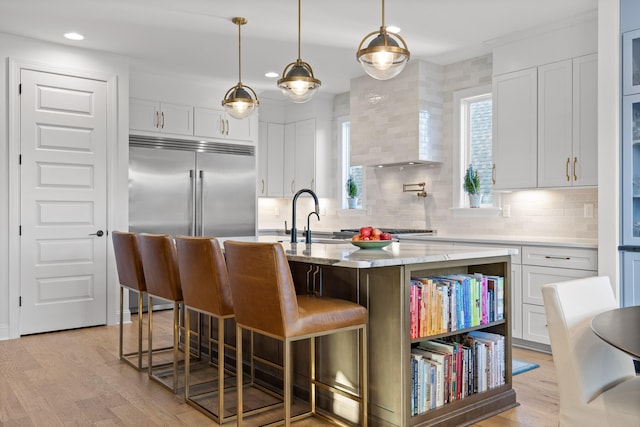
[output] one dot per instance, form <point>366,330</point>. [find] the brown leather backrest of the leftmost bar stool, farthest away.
<point>128,262</point>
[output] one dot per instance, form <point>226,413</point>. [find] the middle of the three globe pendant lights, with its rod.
<point>298,82</point>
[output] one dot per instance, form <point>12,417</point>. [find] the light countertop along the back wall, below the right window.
<point>507,240</point>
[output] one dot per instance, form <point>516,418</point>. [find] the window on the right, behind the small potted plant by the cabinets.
<point>473,109</point>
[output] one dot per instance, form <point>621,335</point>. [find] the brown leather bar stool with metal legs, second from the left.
<point>160,265</point>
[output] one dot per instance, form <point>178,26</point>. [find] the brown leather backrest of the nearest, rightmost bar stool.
<point>264,295</point>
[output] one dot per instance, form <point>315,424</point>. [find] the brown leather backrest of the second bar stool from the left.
<point>160,265</point>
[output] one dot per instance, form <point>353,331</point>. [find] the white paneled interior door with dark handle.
<point>63,209</point>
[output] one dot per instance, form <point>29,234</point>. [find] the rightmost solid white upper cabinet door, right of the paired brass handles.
<point>585,121</point>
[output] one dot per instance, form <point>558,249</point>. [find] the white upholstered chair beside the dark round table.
<point>597,382</point>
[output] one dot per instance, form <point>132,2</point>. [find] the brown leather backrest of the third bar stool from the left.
<point>203,275</point>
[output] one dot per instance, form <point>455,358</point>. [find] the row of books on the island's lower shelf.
<point>443,371</point>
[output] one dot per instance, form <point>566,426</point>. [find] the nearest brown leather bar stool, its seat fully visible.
<point>265,302</point>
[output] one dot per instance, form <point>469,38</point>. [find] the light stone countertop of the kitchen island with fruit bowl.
<point>344,254</point>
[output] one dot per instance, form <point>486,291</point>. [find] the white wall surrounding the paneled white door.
<point>78,60</point>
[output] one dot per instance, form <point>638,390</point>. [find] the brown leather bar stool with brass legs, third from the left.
<point>206,290</point>
